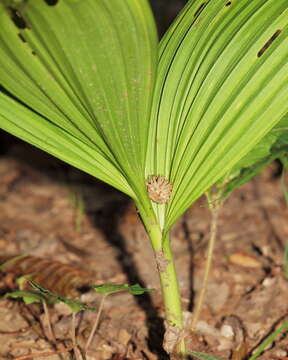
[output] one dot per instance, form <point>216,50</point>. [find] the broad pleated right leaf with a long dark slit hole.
<point>221,87</point>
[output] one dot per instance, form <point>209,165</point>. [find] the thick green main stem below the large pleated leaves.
<point>173,339</point>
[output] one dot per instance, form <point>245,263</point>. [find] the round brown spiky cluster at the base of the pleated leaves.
<point>159,189</point>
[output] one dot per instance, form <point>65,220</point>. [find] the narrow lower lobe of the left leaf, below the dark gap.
<point>40,132</point>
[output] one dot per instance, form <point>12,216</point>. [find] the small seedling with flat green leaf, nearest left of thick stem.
<point>108,289</point>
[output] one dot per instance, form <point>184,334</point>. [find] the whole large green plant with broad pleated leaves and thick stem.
<point>88,82</point>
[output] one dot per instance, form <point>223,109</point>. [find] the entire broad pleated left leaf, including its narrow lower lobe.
<point>85,71</point>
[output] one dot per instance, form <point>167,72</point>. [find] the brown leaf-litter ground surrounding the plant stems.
<point>51,211</point>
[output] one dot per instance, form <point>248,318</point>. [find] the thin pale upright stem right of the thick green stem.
<point>211,244</point>
